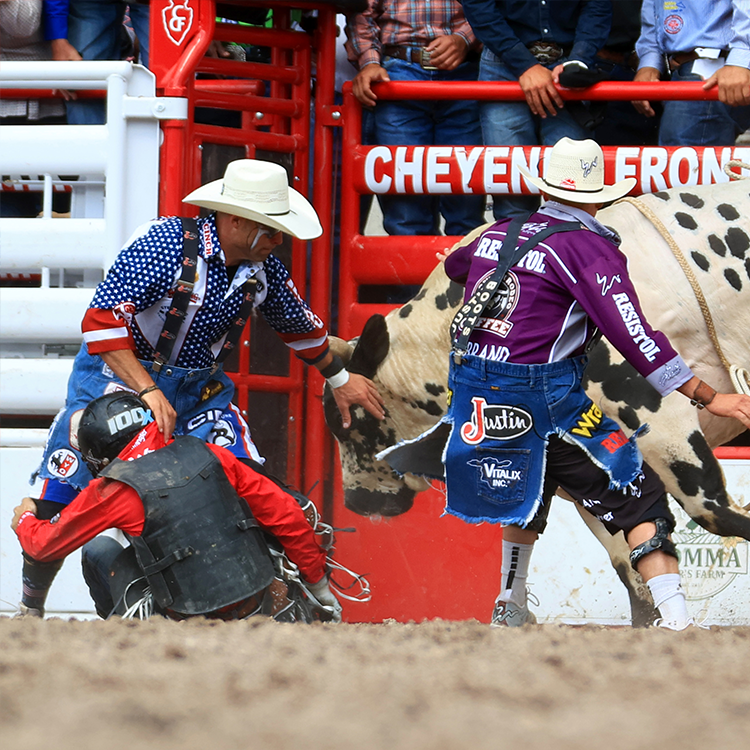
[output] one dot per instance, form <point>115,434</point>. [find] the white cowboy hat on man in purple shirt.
<point>575,172</point>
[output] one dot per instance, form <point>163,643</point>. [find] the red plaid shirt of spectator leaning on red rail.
<point>405,23</point>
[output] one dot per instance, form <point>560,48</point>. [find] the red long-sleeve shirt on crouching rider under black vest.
<point>108,504</point>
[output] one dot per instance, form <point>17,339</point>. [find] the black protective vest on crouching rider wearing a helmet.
<point>200,549</point>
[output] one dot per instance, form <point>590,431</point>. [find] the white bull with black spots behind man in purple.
<point>406,354</point>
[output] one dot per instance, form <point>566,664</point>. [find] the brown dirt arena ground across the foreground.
<point>73,685</point>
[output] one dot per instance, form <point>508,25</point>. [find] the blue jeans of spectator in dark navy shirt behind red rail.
<point>512,124</point>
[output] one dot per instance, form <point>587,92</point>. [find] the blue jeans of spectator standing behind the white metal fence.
<point>95,29</point>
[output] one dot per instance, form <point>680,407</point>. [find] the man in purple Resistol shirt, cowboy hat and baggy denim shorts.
<point>520,421</point>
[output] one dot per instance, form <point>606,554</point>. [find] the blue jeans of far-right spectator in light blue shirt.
<point>700,123</point>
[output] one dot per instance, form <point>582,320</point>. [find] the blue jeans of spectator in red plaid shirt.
<point>429,123</point>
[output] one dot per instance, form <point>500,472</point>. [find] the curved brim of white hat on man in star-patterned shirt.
<point>300,221</point>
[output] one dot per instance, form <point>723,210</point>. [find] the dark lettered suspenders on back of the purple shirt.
<point>509,254</point>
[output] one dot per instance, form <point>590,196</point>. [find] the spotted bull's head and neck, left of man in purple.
<point>406,355</point>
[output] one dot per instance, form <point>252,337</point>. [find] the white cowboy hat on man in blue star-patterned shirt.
<point>259,190</point>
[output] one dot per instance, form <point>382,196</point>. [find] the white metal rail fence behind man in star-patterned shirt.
<point>112,172</point>
